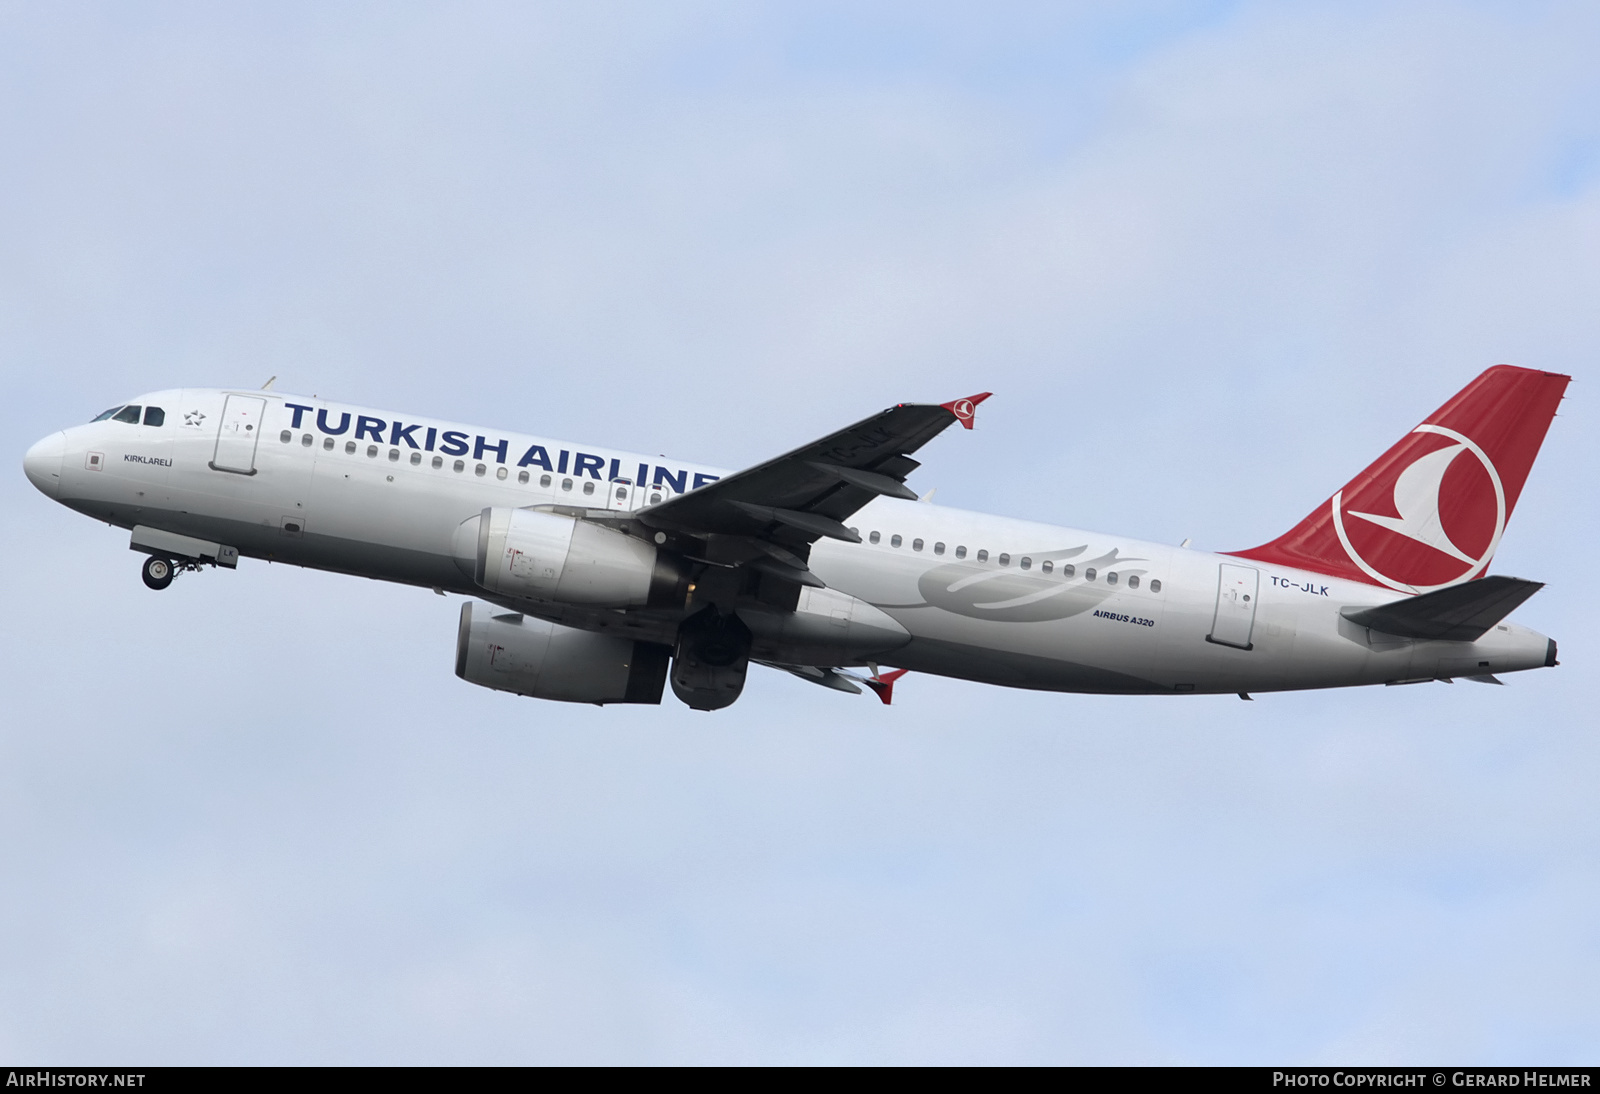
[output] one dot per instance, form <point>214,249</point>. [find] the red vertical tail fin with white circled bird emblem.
<point>1433,509</point>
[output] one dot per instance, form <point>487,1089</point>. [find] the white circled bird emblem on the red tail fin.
<point>1417,500</point>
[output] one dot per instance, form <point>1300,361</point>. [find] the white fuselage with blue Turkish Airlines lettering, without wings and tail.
<point>983,597</point>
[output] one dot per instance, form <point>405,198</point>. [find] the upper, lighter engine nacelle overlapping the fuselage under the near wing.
<point>527,553</point>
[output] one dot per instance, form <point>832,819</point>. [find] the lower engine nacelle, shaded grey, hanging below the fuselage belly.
<point>546,661</point>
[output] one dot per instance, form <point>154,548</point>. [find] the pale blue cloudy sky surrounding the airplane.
<point>1212,258</point>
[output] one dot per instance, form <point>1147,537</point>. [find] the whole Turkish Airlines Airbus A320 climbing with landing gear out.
<point>598,575</point>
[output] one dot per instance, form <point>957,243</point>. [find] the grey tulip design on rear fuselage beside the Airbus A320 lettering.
<point>1010,594</point>
